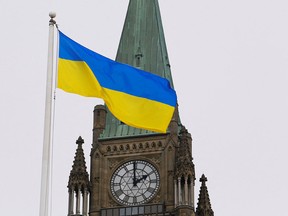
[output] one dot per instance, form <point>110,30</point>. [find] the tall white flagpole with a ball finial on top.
<point>46,155</point>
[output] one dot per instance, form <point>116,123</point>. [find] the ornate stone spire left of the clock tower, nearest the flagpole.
<point>78,185</point>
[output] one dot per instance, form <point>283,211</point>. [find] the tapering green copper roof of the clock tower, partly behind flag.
<point>142,45</point>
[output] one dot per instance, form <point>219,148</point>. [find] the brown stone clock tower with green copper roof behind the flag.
<point>135,171</point>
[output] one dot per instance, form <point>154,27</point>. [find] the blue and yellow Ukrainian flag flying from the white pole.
<point>137,98</point>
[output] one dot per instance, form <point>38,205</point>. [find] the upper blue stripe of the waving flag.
<point>117,76</point>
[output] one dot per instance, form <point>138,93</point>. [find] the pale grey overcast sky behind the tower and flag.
<point>229,62</point>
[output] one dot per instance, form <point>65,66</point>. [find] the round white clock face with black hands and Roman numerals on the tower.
<point>135,182</point>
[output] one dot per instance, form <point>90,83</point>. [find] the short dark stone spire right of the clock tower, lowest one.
<point>204,205</point>
